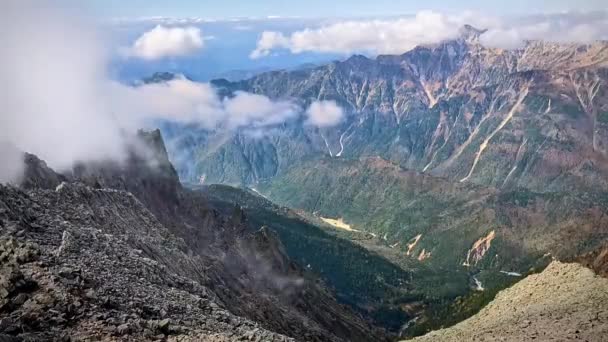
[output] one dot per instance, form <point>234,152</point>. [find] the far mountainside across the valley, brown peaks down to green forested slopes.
<point>473,161</point>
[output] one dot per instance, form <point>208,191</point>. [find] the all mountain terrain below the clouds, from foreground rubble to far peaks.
<point>465,189</point>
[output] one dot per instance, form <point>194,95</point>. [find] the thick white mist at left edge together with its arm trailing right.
<point>59,103</point>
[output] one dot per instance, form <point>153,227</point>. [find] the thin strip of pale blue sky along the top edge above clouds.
<point>328,8</point>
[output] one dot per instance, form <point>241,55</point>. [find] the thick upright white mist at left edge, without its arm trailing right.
<point>53,102</point>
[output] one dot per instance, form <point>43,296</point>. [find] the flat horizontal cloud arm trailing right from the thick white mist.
<point>188,102</point>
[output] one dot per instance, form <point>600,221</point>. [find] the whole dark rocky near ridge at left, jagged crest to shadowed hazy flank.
<point>122,251</point>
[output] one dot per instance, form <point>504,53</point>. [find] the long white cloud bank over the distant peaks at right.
<point>400,35</point>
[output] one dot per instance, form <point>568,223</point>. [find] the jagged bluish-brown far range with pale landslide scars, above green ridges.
<point>533,117</point>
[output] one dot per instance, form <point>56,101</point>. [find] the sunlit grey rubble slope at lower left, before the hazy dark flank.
<point>92,264</point>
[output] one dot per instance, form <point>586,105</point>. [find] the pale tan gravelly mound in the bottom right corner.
<point>566,302</point>
